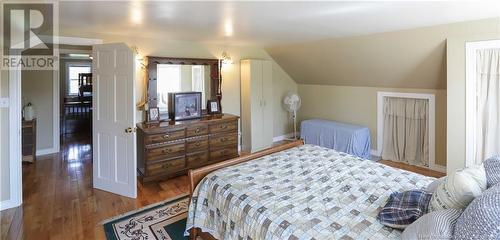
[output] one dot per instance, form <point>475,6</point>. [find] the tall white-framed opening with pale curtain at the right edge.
<point>482,101</point>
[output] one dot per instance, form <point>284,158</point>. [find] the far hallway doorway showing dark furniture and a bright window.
<point>75,110</point>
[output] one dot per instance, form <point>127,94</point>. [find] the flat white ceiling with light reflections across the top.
<point>262,23</point>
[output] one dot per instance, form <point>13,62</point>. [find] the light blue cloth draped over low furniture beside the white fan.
<point>348,138</point>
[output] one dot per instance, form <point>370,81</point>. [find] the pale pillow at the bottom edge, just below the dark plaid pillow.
<point>435,225</point>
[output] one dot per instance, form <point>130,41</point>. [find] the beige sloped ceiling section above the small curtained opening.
<point>403,59</point>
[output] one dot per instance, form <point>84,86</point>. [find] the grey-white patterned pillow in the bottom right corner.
<point>481,220</point>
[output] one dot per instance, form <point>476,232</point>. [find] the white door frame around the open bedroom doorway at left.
<point>15,118</point>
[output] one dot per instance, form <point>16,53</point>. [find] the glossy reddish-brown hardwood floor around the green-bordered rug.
<point>60,203</point>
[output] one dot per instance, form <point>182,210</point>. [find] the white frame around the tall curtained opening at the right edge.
<point>470,95</point>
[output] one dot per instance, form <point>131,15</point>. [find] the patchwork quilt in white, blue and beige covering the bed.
<point>307,192</point>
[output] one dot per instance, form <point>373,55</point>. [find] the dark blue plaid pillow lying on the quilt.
<point>404,208</point>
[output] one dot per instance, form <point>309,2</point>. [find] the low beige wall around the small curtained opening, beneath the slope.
<point>358,105</point>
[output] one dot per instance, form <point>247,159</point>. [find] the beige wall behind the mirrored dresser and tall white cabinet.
<point>230,73</point>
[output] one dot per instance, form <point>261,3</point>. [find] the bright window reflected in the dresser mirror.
<point>169,80</point>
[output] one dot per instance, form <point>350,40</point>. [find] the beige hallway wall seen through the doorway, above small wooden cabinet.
<point>37,88</point>
